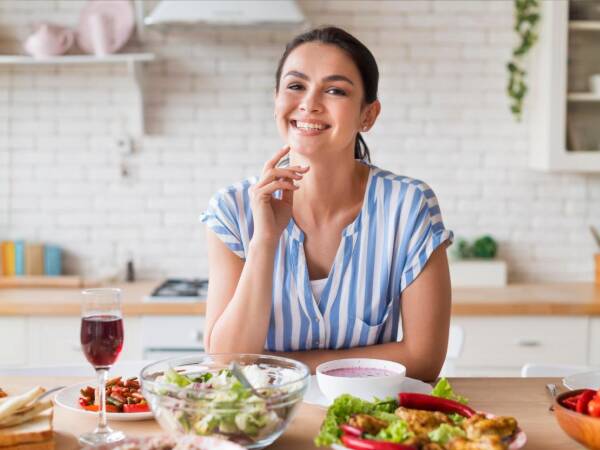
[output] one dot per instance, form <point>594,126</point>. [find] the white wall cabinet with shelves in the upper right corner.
<point>563,113</point>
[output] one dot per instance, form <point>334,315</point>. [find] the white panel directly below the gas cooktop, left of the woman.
<point>173,332</point>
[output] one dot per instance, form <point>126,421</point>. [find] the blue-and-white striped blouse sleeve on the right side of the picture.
<point>426,232</point>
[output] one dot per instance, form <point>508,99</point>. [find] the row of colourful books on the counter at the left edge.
<point>21,258</point>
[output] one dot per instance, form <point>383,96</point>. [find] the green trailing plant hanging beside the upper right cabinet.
<point>527,16</point>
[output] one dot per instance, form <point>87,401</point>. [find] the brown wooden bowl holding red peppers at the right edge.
<point>580,427</point>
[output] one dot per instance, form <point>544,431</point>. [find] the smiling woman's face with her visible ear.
<point>319,105</point>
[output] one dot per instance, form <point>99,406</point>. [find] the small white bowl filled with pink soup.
<point>366,387</point>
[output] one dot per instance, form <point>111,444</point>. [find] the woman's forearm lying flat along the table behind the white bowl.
<point>417,366</point>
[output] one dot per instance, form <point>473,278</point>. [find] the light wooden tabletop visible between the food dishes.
<point>524,398</point>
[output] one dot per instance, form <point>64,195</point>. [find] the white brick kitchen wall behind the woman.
<point>209,115</point>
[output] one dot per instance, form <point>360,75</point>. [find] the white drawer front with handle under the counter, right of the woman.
<point>511,341</point>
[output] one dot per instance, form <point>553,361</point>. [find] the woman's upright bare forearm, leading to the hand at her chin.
<point>244,324</point>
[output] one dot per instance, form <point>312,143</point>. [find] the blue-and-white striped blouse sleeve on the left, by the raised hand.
<point>223,218</point>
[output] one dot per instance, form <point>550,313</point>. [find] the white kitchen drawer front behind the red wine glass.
<point>55,341</point>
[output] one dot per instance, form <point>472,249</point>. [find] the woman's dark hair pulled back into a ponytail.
<point>358,52</point>
